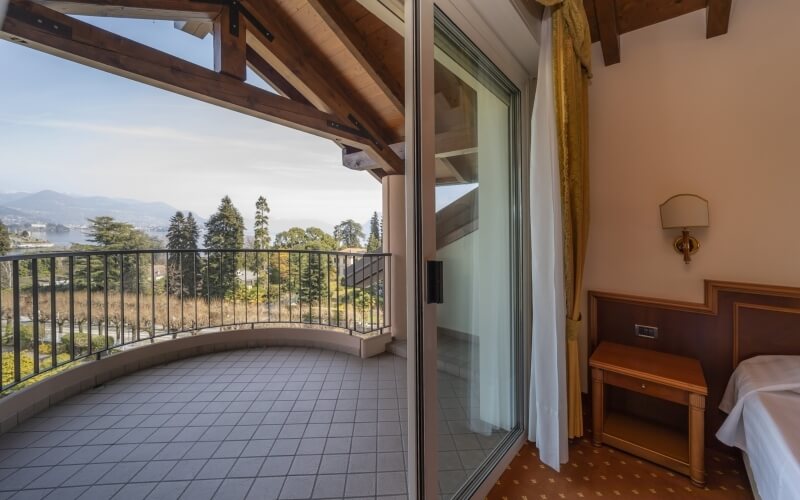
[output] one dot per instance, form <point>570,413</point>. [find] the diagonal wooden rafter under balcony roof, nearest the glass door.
<point>346,31</point>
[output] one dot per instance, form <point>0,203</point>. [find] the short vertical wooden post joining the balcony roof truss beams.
<point>230,44</point>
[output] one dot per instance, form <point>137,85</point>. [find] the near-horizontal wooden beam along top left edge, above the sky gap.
<point>169,10</point>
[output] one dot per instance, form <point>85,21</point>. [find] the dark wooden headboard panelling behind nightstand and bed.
<point>736,321</point>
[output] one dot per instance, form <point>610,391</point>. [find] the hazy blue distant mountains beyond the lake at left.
<point>60,208</point>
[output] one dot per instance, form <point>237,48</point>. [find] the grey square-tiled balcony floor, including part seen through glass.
<point>257,423</point>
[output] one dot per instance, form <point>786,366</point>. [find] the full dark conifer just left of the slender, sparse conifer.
<point>224,231</point>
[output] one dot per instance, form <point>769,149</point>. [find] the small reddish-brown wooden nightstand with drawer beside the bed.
<point>663,376</point>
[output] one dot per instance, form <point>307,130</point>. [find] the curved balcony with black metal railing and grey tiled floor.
<point>154,380</point>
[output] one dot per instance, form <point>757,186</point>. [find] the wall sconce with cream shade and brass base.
<point>685,211</point>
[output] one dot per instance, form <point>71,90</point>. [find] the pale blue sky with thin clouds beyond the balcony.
<point>78,130</point>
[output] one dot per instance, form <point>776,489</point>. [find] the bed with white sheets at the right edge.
<point>763,405</point>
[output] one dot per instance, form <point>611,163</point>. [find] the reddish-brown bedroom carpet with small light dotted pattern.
<point>604,472</point>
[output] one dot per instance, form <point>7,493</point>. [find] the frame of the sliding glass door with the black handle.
<point>422,16</point>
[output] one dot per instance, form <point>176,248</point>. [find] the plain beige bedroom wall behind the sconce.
<point>719,118</point>
